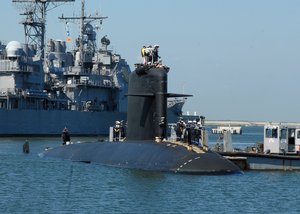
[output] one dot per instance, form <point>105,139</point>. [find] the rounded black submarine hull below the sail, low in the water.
<point>145,155</point>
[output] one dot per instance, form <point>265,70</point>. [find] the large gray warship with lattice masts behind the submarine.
<point>44,88</point>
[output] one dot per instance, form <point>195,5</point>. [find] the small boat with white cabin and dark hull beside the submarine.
<point>279,151</point>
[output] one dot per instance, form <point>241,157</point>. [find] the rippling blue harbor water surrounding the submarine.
<point>30,184</point>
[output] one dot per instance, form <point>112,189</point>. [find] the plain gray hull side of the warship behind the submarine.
<point>51,123</point>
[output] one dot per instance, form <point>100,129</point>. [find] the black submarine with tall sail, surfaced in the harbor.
<point>145,146</point>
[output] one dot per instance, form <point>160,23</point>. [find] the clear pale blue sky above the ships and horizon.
<point>238,58</point>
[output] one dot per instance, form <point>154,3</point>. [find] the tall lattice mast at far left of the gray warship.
<point>35,21</point>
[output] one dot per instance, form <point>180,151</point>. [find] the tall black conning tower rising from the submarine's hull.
<point>147,103</point>
